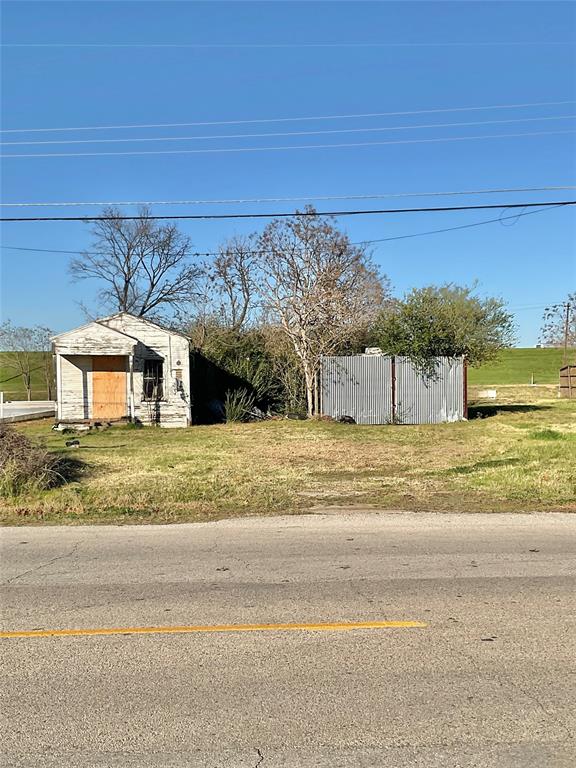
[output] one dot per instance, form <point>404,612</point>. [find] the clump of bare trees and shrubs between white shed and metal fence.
<point>274,303</point>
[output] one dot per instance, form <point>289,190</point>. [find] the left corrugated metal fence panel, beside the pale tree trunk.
<point>358,386</point>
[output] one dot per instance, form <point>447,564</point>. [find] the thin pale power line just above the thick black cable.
<point>234,201</point>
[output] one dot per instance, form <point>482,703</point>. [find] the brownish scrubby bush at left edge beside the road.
<point>27,467</point>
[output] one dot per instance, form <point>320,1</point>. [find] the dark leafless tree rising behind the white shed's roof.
<point>143,267</point>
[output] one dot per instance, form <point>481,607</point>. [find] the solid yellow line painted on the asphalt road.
<point>320,627</point>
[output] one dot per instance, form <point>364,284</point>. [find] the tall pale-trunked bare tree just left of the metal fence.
<point>321,289</point>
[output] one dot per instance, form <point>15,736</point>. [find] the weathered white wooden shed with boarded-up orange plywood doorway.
<point>123,367</point>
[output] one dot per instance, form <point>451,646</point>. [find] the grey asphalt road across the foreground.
<point>489,682</point>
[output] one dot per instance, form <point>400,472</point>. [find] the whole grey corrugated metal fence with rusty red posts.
<point>376,389</point>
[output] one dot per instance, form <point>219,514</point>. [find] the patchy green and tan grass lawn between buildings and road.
<point>507,458</point>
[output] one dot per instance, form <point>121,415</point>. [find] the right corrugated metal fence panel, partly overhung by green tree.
<point>429,399</point>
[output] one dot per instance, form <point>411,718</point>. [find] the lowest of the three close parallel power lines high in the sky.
<point>227,150</point>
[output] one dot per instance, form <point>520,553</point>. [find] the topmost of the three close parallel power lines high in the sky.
<point>291,119</point>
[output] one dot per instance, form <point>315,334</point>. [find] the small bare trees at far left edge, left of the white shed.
<point>20,347</point>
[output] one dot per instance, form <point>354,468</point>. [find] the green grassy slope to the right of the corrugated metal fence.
<point>517,366</point>
